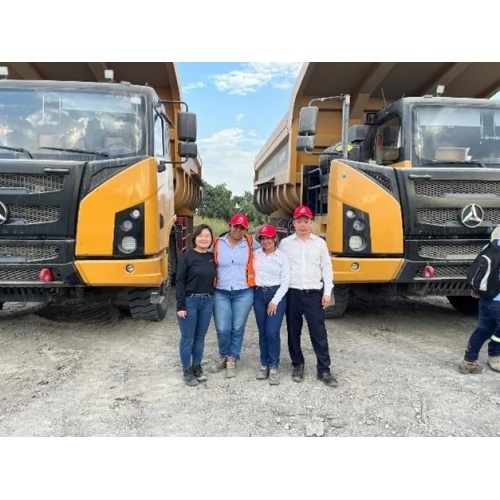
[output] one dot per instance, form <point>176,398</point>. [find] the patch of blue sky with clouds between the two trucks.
<point>238,106</point>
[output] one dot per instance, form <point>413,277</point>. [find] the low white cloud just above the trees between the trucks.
<point>228,158</point>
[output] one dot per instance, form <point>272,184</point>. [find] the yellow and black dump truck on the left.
<point>99,178</point>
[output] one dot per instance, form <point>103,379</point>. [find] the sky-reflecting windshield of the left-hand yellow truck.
<point>63,122</point>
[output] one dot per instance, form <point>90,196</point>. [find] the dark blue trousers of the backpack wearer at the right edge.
<point>489,326</point>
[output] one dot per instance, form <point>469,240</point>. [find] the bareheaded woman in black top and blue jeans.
<point>193,289</point>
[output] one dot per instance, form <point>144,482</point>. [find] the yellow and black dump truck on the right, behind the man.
<point>400,163</point>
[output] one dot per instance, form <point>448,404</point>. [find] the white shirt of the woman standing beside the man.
<point>272,270</point>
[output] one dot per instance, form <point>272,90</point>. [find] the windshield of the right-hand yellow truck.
<point>457,134</point>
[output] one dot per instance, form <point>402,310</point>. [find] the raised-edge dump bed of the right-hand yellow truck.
<point>371,85</point>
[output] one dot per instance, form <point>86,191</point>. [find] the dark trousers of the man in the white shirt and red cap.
<point>299,304</point>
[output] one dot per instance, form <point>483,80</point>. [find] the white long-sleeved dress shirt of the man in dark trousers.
<point>310,263</point>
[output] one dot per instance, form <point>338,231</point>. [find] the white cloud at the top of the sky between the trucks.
<point>253,76</point>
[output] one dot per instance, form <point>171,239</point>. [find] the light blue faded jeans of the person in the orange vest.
<point>231,310</point>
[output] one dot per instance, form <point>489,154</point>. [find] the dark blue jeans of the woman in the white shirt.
<point>269,327</point>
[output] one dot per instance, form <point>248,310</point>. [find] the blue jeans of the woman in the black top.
<point>194,326</point>
